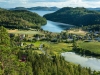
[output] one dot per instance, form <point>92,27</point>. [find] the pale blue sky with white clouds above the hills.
<point>49,3</point>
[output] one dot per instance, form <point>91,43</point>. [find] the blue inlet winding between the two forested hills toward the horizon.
<point>53,26</point>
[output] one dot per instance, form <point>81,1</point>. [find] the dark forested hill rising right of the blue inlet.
<point>76,16</point>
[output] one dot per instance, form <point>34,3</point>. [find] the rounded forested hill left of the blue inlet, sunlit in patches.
<point>20,19</point>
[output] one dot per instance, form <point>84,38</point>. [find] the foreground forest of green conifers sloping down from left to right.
<point>14,61</point>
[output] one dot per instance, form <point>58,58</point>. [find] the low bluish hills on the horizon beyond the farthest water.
<point>44,8</point>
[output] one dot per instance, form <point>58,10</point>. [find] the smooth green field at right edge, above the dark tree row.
<point>92,46</point>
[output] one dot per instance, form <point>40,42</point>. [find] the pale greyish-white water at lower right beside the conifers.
<point>93,63</point>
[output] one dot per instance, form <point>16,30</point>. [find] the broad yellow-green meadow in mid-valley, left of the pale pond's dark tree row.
<point>58,48</point>
